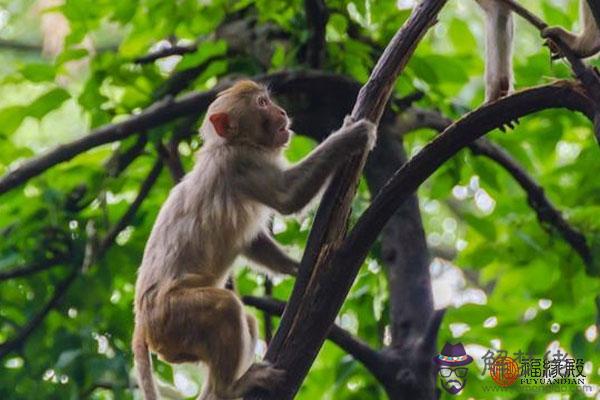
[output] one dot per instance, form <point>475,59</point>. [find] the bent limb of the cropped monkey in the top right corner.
<point>587,43</point>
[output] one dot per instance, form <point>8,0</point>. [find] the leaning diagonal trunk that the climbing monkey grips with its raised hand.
<point>306,319</point>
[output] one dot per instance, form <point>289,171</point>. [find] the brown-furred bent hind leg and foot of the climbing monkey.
<point>220,333</point>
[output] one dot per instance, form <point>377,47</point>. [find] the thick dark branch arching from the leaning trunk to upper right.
<point>460,134</point>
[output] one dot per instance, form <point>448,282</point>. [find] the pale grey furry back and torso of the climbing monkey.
<point>202,226</point>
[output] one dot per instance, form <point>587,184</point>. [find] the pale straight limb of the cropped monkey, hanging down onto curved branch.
<point>499,32</point>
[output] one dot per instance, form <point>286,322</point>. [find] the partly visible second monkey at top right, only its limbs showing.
<point>499,34</point>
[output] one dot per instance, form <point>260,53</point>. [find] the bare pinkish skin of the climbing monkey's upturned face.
<point>274,122</point>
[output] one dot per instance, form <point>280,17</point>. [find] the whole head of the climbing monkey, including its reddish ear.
<point>244,114</point>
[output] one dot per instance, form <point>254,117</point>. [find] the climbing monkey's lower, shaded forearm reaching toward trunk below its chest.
<point>266,252</point>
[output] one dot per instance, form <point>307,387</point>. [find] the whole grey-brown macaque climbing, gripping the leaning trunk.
<point>218,211</point>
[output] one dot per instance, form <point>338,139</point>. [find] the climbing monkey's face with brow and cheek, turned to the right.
<point>269,123</point>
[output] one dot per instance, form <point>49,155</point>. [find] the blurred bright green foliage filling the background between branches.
<point>506,266</point>
